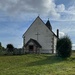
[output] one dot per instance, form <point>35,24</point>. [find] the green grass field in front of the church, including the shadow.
<point>36,64</point>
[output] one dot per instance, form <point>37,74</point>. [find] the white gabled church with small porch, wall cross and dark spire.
<point>39,38</point>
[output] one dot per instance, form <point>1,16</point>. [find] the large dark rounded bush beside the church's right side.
<point>64,47</point>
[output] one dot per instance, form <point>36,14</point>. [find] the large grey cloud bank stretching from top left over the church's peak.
<point>21,7</point>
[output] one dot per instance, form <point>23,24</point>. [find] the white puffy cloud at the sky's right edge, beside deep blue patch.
<point>67,14</point>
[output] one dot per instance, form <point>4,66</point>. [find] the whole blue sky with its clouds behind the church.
<point>17,15</point>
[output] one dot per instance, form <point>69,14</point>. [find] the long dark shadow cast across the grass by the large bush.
<point>48,60</point>
